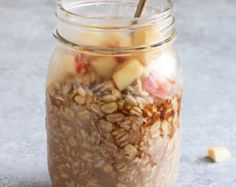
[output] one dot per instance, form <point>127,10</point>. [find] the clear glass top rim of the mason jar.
<point>63,13</point>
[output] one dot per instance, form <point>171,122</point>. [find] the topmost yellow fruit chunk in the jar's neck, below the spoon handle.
<point>146,36</point>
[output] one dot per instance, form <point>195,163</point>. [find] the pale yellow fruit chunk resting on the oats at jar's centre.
<point>126,73</point>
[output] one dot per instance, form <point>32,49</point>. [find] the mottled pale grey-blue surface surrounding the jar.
<point>207,47</point>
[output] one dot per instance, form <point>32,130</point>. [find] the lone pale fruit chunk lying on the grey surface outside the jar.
<point>218,154</point>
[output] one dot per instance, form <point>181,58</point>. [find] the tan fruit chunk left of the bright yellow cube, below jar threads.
<point>104,66</point>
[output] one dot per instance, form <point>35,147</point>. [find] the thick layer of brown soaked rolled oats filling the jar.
<point>95,130</point>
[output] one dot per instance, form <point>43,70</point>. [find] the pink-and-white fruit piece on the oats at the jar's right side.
<point>158,85</point>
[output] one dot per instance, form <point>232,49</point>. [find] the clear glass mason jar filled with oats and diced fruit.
<point>113,96</point>
